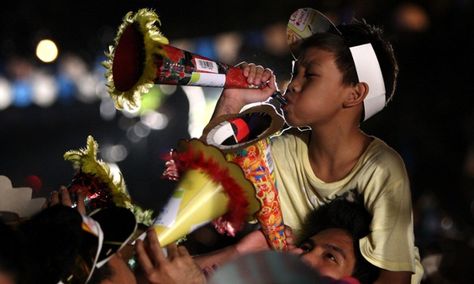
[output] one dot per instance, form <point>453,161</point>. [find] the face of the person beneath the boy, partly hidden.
<point>331,252</point>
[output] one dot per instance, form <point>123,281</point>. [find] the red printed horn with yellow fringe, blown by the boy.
<point>141,57</point>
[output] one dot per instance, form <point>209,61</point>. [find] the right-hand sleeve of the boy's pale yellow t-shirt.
<point>390,245</point>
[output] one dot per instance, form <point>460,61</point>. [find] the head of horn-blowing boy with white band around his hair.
<point>327,85</point>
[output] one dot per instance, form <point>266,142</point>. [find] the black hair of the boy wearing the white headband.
<point>353,34</point>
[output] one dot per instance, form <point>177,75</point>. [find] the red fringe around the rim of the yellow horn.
<point>238,203</point>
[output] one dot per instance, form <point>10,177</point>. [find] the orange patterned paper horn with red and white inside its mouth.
<point>244,137</point>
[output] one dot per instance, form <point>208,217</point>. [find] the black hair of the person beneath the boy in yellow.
<point>350,216</point>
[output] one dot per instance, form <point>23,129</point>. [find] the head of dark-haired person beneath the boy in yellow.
<point>331,236</point>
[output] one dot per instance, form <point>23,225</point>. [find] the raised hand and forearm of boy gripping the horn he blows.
<point>232,100</point>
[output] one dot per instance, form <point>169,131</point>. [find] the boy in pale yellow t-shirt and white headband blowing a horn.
<point>328,95</point>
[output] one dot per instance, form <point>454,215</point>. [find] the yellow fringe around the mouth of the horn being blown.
<point>146,20</point>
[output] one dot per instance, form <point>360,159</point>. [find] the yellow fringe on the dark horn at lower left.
<point>86,160</point>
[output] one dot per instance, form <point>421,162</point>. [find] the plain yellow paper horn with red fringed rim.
<point>209,188</point>
